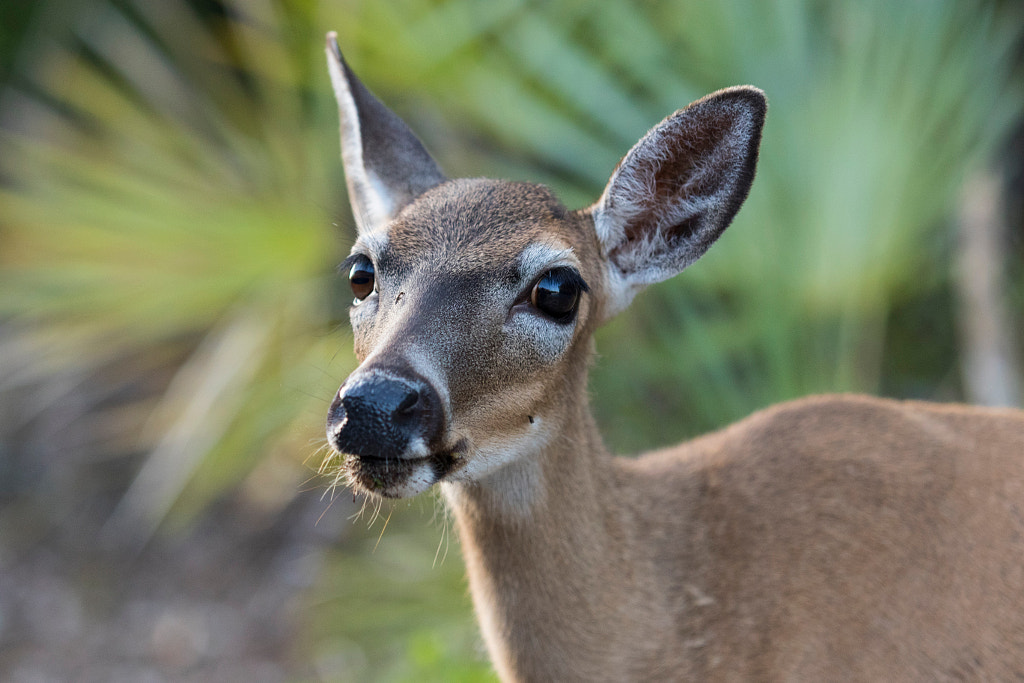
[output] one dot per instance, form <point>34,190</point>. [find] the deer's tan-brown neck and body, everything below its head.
<point>836,538</point>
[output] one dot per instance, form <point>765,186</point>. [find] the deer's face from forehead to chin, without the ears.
<point>467,309</point>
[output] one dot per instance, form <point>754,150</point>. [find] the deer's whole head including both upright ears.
<point>475,300</point>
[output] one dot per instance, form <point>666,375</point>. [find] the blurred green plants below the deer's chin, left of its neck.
<point>395,608</point>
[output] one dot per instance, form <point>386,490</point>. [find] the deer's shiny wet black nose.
<point>380,416</point>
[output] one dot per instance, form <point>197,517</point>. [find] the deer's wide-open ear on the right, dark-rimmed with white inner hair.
<point>677,191</point>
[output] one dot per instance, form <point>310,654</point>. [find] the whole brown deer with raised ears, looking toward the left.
<point>830,538</point>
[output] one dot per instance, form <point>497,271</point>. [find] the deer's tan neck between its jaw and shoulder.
<point>547,545</point>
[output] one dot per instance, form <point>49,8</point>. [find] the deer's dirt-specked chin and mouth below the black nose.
<point>402,478</point>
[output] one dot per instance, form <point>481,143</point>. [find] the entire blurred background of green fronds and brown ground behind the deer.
<point>173,209</point>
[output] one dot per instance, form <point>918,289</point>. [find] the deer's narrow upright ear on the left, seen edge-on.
<point>387,166</point>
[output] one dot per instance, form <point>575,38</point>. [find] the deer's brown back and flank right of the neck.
<point>852,538</point>
